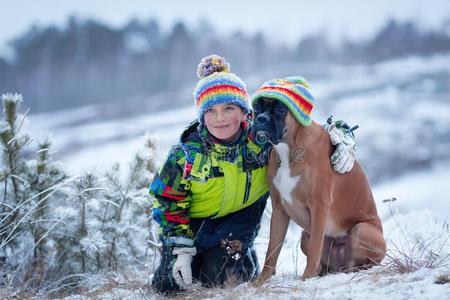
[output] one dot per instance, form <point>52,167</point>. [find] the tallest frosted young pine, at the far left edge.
<point>30,188</point>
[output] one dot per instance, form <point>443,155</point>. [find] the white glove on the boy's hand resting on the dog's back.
<point>343,157</point>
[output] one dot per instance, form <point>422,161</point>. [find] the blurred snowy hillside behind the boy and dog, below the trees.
<point>402,108</point>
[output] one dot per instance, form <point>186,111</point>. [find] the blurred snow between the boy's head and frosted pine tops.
<point>116,141</point>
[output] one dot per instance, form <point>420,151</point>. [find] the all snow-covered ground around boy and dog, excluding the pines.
<point>403,108</point>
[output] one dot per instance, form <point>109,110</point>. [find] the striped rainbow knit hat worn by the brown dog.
<point>293,92</point>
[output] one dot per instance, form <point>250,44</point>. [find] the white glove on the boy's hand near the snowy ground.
<point>182,271</point>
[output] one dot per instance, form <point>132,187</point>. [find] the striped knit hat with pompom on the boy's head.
<point>218,85</point>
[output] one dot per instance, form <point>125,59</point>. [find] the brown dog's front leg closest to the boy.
<point>279,223</point>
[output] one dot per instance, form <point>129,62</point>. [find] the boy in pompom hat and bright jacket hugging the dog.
<point>212,189</point>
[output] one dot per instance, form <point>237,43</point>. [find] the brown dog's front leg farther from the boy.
<point>319,212</point>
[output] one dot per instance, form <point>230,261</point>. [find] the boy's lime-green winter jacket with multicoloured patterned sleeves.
<point>202,178</point>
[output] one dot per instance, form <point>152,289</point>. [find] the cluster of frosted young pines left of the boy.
<point>53,225</point>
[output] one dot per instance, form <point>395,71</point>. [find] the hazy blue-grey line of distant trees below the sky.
<point>90,62</point>
